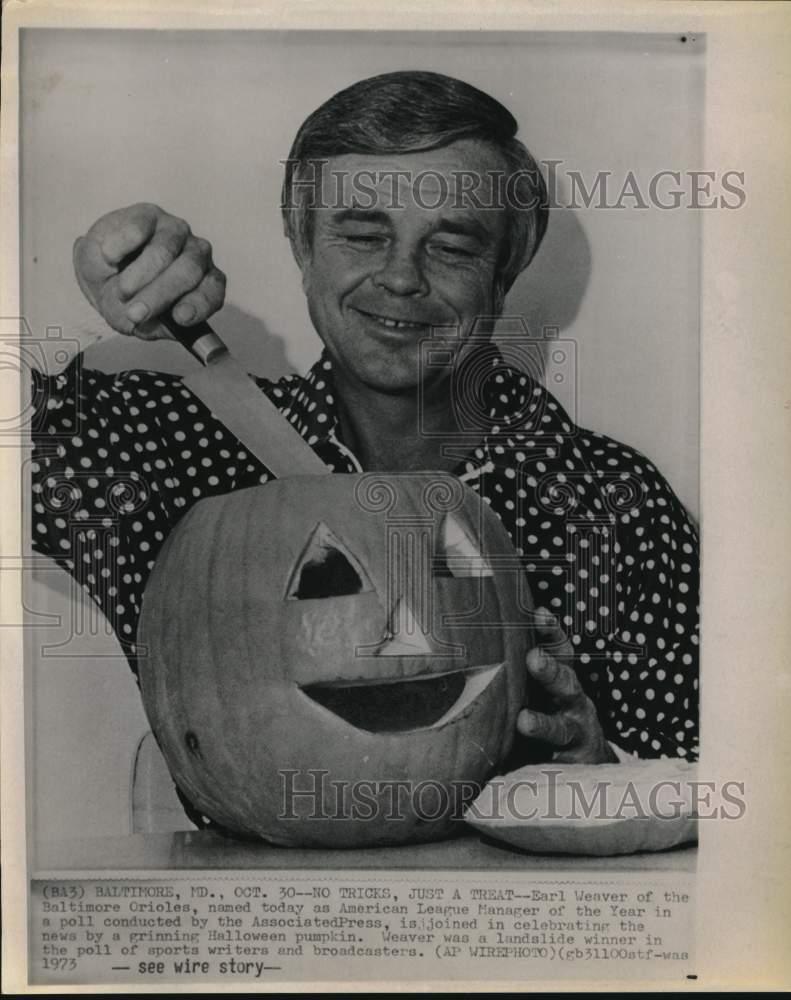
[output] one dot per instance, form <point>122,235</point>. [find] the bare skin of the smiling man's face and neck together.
<point>412,259</point>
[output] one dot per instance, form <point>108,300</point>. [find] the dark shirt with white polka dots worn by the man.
<point>607,547</point>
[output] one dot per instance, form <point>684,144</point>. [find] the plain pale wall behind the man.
<point>198,122</point>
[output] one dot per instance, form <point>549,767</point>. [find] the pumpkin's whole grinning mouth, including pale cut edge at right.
<point>398,705</point>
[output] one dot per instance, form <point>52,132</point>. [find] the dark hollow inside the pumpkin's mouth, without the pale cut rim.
<point>395,706</point>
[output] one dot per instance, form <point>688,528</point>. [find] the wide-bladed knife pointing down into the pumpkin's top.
<point>241,406</point>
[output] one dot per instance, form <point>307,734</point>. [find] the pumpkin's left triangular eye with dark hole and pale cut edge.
<point>326,569</point>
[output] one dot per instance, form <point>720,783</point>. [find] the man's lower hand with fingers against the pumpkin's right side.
<point>572,727</point>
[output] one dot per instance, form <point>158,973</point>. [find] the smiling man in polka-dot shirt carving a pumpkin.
<point>411,208</point>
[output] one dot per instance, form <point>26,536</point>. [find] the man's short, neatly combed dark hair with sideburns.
<point>416,111</point>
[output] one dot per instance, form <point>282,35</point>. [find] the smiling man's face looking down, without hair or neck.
<point>397,251</point>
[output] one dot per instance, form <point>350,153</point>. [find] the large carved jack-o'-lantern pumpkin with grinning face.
<point>329,658</point>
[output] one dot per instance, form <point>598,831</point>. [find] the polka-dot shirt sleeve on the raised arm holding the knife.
<point>117,460</point>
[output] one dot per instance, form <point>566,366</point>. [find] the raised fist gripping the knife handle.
<point>138,262</point>
